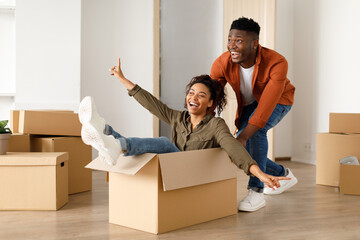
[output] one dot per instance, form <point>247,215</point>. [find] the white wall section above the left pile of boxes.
<point>47,54</point>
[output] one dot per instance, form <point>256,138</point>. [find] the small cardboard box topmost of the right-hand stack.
<point>344,123</point>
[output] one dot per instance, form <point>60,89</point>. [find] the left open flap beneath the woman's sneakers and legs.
<point>128,165</point>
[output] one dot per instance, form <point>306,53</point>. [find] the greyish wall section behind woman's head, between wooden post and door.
<point>191,39</point>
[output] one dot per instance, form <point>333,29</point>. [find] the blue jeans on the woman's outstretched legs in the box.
<point>136,146</point>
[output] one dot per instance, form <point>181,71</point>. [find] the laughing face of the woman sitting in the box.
<point>198,99</point>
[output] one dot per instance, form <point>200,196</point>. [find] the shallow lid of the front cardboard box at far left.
<point>33,158</point>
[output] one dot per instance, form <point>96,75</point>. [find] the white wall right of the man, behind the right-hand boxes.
<point>326,54</point>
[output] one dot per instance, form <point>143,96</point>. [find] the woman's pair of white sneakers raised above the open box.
<point>92,132</point>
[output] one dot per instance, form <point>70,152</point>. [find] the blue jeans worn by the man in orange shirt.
<point>257,145</point>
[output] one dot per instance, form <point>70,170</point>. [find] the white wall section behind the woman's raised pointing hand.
<point>112,29</point>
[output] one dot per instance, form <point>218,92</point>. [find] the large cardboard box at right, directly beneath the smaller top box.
<point>331,147</point>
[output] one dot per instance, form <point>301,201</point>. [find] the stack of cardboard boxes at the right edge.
<point>343,140</point>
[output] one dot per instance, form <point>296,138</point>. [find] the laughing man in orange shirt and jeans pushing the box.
<point>264,96</point>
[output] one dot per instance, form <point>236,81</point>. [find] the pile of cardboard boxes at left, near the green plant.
<point>45,161</point>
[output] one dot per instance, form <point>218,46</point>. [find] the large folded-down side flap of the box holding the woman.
<point>191,168</point>
